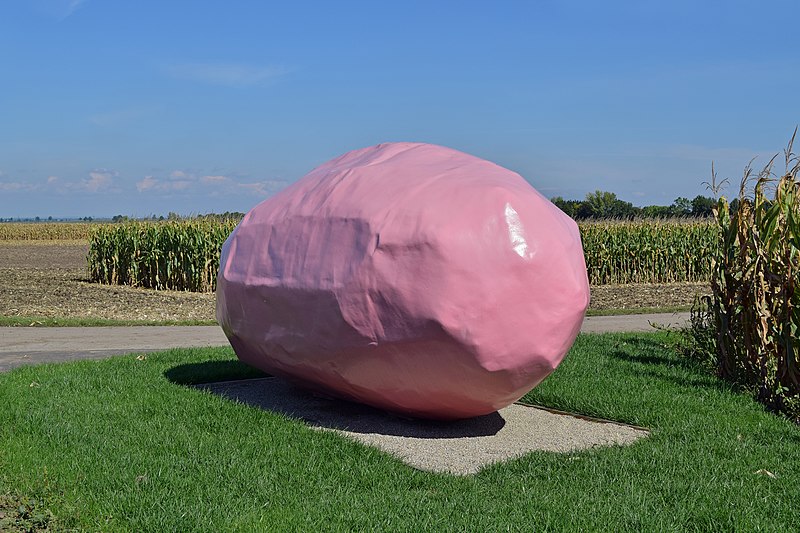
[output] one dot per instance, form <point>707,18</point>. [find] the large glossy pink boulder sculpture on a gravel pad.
<point>410,277</point>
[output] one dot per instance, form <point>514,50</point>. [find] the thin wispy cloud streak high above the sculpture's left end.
<point>231,75</point>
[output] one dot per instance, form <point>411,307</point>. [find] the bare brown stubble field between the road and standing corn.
<point>48,279</point>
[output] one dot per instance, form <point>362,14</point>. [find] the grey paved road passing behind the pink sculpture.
<point>19,346</point>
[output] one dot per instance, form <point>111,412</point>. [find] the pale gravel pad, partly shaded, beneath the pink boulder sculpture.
<point>460,447</point>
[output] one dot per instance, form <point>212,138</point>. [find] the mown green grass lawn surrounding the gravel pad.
<point>123,445</point>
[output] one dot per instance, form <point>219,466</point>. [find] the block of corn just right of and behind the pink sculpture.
<point>650,251</point>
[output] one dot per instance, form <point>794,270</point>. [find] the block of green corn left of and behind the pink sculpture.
<point>180,255</point>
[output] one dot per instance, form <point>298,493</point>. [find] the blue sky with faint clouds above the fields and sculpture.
<point>118,107</point>
